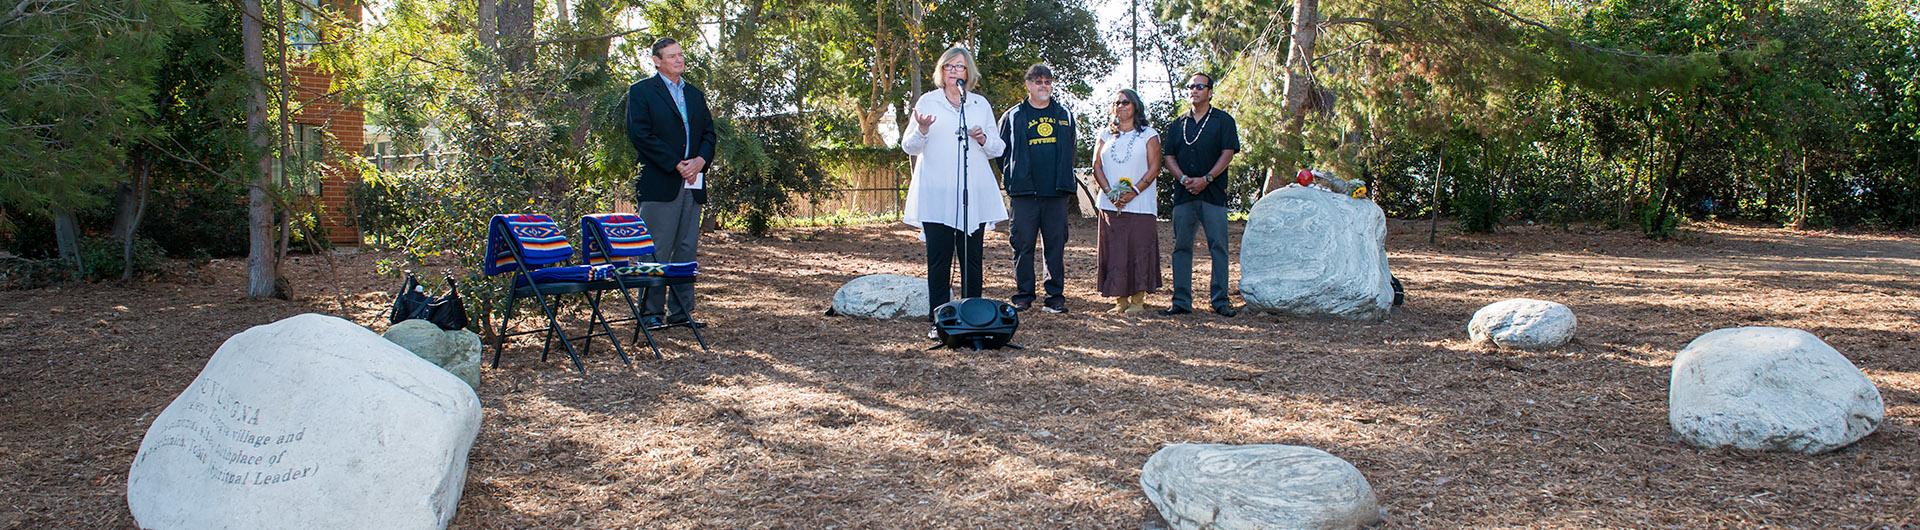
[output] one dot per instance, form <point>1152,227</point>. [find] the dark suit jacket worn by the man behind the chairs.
<point>660,141</point>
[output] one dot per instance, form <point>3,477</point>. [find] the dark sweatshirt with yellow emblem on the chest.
<point>1022,126</point>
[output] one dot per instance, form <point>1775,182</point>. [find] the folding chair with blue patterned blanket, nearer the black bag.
<point>537,253</point>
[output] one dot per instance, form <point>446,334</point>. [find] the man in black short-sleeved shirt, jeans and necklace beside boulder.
<point>1197,151</point>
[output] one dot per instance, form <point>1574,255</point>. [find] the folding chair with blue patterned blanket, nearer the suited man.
<point>623,241</point>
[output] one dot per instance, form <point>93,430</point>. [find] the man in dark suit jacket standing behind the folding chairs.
<point>673,132</point>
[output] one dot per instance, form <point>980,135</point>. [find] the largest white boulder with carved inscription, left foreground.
<point>308,423</point>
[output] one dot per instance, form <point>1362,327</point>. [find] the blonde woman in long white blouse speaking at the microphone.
<point>948,210</point>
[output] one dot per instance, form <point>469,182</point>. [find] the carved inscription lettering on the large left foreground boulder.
<point>228,435</point>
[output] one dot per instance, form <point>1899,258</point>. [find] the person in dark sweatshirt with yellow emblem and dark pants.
<point>1040,176</point>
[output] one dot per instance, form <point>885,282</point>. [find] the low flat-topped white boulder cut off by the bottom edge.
<point>1257,487</point>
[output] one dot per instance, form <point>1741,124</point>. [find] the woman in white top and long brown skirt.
<point>1124,164</point>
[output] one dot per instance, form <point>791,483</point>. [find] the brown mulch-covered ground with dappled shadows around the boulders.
<point>800,420</point>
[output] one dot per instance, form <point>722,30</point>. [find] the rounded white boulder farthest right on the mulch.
<point>1769,389</point>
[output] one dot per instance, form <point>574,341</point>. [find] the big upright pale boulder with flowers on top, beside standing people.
<point>1316,254</point>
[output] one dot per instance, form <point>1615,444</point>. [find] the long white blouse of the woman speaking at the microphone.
<point>934,195</point>
